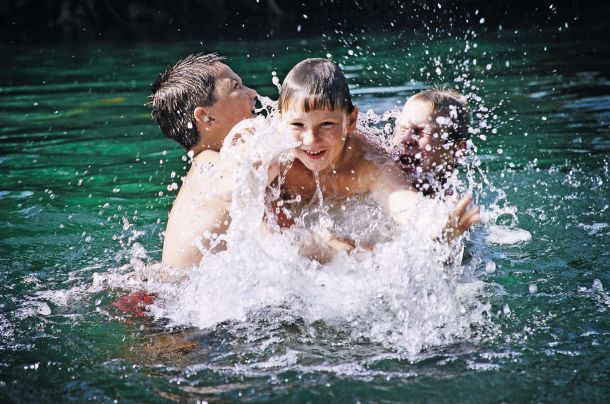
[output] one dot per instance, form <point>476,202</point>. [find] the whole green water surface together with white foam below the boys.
<point>86,196</point>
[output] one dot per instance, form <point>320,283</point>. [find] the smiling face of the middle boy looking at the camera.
<point>321,133</point>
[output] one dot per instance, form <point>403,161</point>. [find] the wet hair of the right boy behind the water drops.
<point>448,103</point>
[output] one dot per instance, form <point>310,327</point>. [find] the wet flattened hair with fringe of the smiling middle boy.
<point>315,84</point>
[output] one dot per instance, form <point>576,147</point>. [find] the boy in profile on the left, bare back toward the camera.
<point>196,103</point>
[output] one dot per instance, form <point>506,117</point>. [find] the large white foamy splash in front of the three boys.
<point>405,292</point>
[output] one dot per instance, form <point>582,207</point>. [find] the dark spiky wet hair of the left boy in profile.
<point>179,90</point>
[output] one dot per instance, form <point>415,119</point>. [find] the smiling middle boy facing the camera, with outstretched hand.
<point>315,105</point>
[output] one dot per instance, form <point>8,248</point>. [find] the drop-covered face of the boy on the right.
<point>423,142</point>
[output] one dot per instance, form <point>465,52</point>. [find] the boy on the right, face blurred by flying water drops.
<point>430,138</point>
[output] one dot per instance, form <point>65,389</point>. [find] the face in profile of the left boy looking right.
<point>234,101</point>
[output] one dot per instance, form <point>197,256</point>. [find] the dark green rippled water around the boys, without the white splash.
<point>85,171</point>
